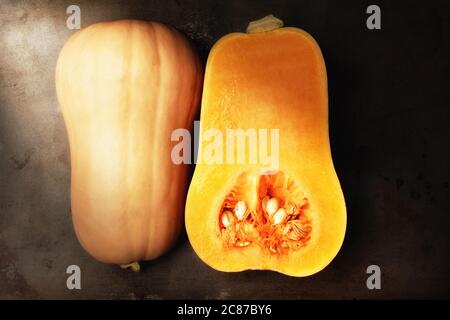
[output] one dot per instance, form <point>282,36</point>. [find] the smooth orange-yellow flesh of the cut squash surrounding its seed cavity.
<point>278,80</point>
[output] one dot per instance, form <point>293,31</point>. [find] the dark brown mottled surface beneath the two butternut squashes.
<point>390,135</point>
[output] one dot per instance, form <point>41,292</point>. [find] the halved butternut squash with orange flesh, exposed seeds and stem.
<point>242,215</point>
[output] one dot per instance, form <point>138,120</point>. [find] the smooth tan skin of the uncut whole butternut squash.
<point>123,87</point>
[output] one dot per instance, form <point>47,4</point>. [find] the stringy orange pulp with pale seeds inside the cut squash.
<point>277,225</point>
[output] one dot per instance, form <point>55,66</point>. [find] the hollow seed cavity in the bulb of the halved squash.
<point>276,218</point>
